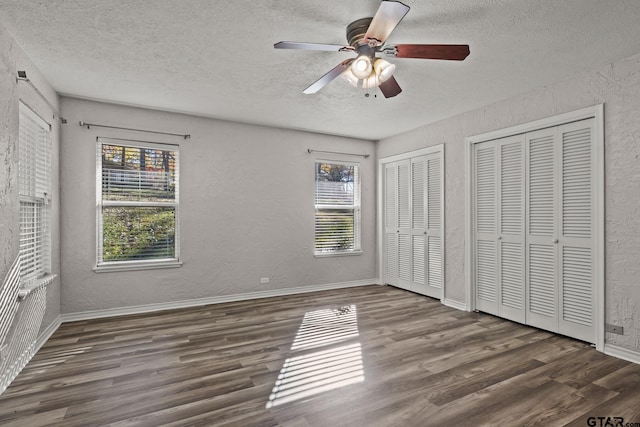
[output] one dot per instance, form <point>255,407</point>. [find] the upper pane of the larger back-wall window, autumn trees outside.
<point>138,174</point>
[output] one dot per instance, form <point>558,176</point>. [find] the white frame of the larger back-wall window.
<point>148,264</point>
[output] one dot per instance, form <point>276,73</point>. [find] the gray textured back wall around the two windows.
<point>246,210</point>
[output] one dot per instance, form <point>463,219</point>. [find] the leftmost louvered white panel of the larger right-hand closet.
<point>485,213</point>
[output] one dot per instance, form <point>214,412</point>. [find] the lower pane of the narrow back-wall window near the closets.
<point>334,230</point>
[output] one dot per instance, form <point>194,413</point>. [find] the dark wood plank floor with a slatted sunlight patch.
<point>367,356</point>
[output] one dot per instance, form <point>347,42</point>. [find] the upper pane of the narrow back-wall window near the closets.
<point>335,184</point>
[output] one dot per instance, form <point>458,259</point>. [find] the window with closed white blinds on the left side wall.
<point>34,176</point>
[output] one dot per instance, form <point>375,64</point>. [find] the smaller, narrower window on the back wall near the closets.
<point>337,206</point>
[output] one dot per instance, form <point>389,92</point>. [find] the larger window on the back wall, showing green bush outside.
<point>137,196</point>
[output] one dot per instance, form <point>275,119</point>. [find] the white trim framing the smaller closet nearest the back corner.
<point>380,205</point>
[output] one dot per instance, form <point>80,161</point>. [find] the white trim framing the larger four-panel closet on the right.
<point>597,113</point>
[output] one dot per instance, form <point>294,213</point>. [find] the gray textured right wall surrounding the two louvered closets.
<point>618,87</point>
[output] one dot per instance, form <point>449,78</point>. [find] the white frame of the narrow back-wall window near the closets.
<point>356,207</point>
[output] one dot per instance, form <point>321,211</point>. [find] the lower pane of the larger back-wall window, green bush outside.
<point>138,233</point>
